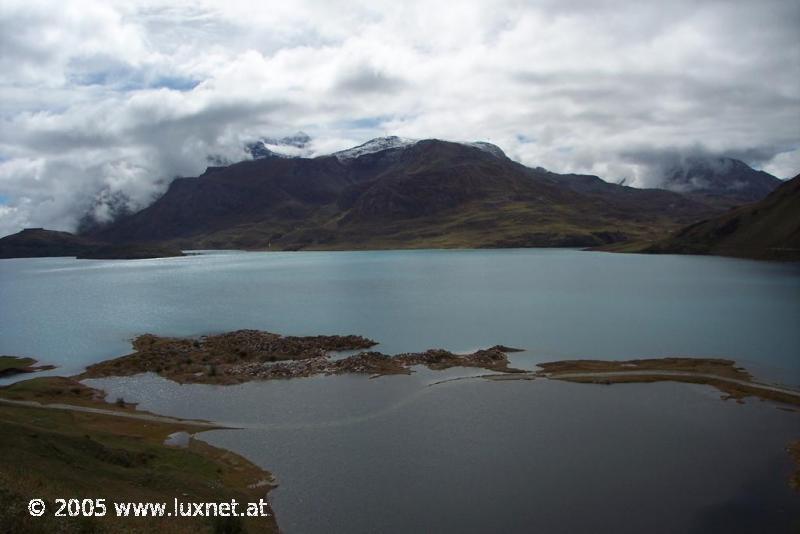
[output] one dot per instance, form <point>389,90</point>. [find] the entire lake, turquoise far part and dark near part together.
<point>399,454</point>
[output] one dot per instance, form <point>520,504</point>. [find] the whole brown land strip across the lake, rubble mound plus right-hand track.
<point>246,355</point>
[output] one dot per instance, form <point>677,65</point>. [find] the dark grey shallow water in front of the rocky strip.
<point>396,454</point>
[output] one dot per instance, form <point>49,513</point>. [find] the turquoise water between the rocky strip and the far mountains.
<point>555,303</point>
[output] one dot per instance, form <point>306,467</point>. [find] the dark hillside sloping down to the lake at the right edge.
<point>768,229</point>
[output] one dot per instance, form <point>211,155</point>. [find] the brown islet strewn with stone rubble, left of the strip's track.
<point>245,355</point>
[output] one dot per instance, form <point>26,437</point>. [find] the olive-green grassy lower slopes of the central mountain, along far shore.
<point>475,224</point>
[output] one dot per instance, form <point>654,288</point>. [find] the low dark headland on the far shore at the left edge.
<point>38,243</point>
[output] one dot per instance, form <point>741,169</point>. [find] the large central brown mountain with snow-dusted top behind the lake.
<point>399,193</point>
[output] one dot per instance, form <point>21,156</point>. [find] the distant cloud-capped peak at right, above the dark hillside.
<point>719,180</point>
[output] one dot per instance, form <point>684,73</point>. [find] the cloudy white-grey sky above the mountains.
<point>103,103</point>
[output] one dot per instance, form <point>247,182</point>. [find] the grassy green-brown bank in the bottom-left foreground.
<point>51,454</point>
